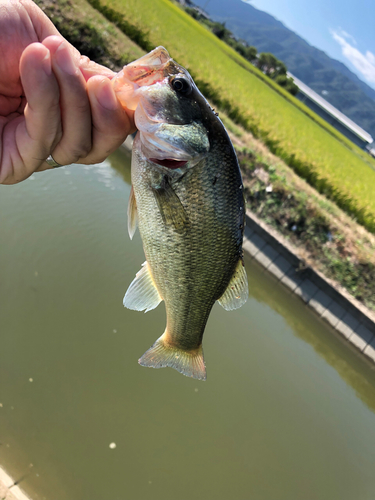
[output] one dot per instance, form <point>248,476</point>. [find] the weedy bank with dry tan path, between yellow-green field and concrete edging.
<point>324,236</point>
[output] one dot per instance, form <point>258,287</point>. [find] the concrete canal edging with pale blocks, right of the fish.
<point>352,320</point>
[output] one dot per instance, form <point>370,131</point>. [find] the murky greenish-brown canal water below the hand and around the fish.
<point>287,411</point>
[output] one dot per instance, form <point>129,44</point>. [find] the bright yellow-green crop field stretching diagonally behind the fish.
<point>316,151</point>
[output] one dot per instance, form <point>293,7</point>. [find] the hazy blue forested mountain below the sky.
<point>327,76</point>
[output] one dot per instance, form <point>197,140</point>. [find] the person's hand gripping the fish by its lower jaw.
<point>53,100</point>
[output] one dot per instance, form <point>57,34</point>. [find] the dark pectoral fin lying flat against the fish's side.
<point>170,206</point>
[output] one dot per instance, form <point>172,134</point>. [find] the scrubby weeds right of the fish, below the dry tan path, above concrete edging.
<point>308,225</point>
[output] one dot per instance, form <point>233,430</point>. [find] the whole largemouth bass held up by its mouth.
<point>187,200</point>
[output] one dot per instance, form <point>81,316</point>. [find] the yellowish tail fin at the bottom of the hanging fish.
<point>189,363</point>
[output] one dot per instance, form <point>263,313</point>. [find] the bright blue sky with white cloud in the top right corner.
<point>344,29</point>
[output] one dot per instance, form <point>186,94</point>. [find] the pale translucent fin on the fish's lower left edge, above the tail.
<point>142,293</point>
